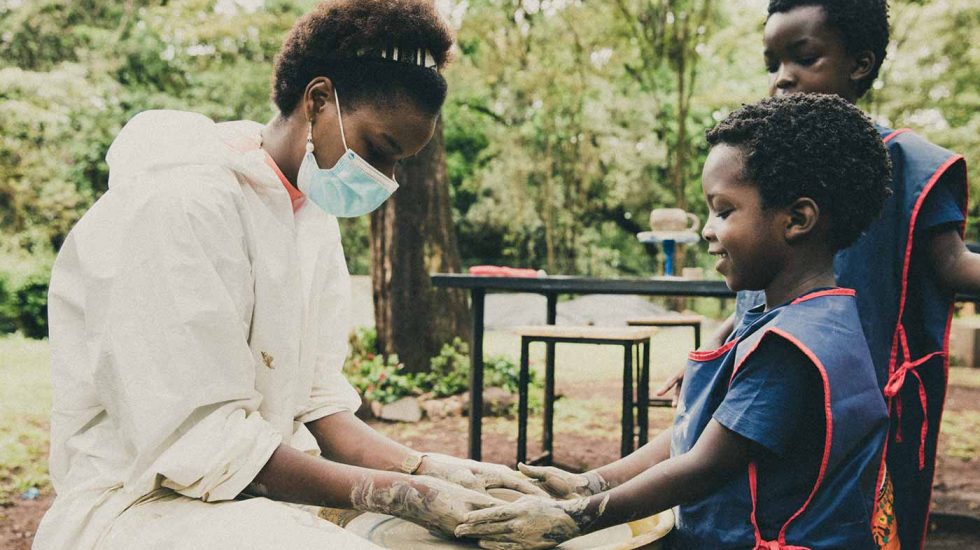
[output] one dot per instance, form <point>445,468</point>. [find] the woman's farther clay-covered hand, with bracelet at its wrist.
<point>478,476</point>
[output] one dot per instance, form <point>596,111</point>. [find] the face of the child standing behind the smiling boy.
<point>803,54</point>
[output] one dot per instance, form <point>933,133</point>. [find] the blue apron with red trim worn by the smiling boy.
<point>836,513</point>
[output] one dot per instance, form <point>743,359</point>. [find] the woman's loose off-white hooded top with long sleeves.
<point>197,322</point>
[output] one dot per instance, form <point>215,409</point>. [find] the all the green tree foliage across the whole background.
<point>568,120</point>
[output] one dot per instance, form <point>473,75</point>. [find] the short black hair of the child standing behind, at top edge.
<point>863,25</point>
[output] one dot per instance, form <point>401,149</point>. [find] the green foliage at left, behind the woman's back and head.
<point>73,72</point>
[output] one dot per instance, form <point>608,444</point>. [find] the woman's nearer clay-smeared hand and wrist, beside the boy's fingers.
<point>435,504</point>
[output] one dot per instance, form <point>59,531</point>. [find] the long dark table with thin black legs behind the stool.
<point>551,288</point>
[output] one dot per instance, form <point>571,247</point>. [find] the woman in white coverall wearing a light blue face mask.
<point>199,320</point>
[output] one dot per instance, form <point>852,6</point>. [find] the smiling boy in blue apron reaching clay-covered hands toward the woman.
<point>778,434</point>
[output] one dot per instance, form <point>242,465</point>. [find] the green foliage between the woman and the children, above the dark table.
<point>570,121</point>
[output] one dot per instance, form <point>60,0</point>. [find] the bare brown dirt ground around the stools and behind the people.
<point>593,441</point>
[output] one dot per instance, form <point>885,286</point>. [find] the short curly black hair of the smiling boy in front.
<point>817,146</point>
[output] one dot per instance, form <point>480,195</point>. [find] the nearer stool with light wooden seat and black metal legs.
<point>636,345</point>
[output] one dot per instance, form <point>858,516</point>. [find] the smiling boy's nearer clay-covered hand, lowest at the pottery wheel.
<point>530,523</point>
